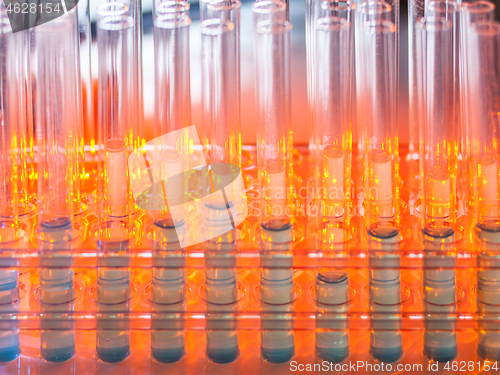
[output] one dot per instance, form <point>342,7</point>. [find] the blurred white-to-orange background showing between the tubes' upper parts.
<point>300,123</point>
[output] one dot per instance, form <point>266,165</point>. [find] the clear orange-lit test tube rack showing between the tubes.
<point>247,318</point>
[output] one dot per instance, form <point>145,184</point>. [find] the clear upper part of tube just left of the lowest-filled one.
<point>274,136</point>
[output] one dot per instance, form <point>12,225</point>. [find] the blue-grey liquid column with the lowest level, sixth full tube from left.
<point>332,334</point>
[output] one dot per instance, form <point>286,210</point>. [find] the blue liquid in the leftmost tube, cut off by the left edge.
<point>9,303</point>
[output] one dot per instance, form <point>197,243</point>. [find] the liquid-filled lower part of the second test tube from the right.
<point>439,294</point>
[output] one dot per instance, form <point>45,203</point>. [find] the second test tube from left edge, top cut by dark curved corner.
<point>58,110</point>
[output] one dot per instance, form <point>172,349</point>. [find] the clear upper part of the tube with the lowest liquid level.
<point>332,114</point>
